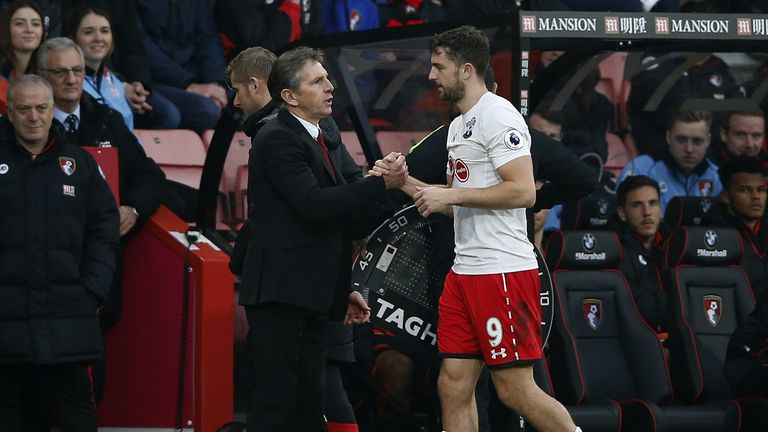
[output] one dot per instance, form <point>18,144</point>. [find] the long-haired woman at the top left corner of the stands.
<point>21,32</point>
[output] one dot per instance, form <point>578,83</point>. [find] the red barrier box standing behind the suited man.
<point>143,349</point>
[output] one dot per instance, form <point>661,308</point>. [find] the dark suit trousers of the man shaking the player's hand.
<point>289,346</point>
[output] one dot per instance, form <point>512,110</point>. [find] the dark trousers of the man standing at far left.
<point>28,392</point>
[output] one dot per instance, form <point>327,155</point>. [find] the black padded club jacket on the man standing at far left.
<point>60,230</point>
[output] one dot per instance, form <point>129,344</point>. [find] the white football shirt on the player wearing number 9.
<point>480,141</point>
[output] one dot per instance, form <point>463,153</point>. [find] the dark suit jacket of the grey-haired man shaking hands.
<point>299,250</point>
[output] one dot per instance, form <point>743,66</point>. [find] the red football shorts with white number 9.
<point>495,317</point>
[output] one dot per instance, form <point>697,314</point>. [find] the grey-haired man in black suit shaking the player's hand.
<point>297,265</point>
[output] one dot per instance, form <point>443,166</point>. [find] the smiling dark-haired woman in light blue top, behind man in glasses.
<point>91,29</point>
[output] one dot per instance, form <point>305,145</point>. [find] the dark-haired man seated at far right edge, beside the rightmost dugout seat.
<point>742,206</point>
